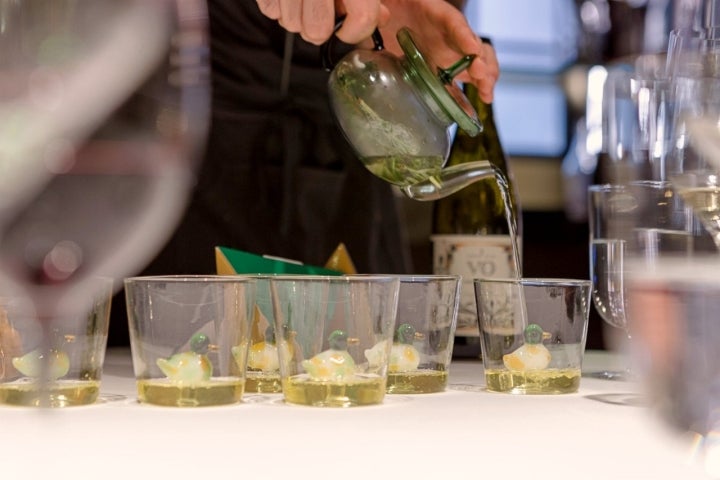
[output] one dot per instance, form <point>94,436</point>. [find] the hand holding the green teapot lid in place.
<point>445,32</point>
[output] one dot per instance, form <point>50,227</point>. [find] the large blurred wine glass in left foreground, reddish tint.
<point>104,112</point>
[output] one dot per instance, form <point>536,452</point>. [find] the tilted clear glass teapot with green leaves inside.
<point>397,114</point>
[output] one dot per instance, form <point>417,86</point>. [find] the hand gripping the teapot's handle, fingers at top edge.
<point>314,20</point>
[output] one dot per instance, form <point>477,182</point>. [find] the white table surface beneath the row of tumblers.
<point>600,432</point>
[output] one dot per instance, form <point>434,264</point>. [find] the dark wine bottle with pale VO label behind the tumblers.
<point>472,234</point>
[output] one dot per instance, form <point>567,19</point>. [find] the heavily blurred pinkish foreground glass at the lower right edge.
<point>673,304</point>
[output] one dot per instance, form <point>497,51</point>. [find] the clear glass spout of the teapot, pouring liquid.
<point>449,181</point>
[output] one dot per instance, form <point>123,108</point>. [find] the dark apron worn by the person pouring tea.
<point>278,177</point>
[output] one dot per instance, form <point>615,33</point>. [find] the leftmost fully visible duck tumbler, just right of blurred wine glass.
<point>189,336</point>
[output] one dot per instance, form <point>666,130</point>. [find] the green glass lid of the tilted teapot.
<point>446,93</point>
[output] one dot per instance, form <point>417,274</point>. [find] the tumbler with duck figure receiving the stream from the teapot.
<point>532,333</point>
